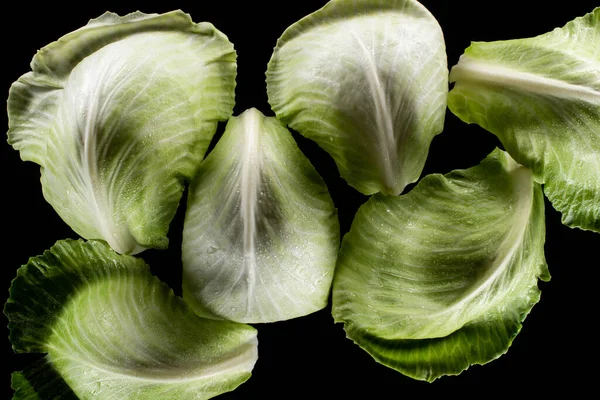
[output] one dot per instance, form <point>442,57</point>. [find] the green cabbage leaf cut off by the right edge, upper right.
<point>541,97</point>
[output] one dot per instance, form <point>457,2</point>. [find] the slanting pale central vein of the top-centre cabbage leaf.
<point>383,116</point>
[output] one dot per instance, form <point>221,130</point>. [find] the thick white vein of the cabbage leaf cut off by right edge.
<point>476,71</point>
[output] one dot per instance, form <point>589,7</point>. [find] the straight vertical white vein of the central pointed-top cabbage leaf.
<point>250,185</point>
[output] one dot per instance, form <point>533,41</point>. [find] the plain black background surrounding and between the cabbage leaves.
<point>310,356</point>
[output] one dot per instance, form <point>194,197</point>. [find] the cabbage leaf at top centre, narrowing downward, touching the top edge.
<point>368,81</point>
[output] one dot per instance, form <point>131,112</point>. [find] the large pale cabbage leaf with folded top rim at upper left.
<point>119,114</point>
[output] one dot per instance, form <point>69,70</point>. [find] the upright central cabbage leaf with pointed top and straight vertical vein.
<point>261,233</point>
